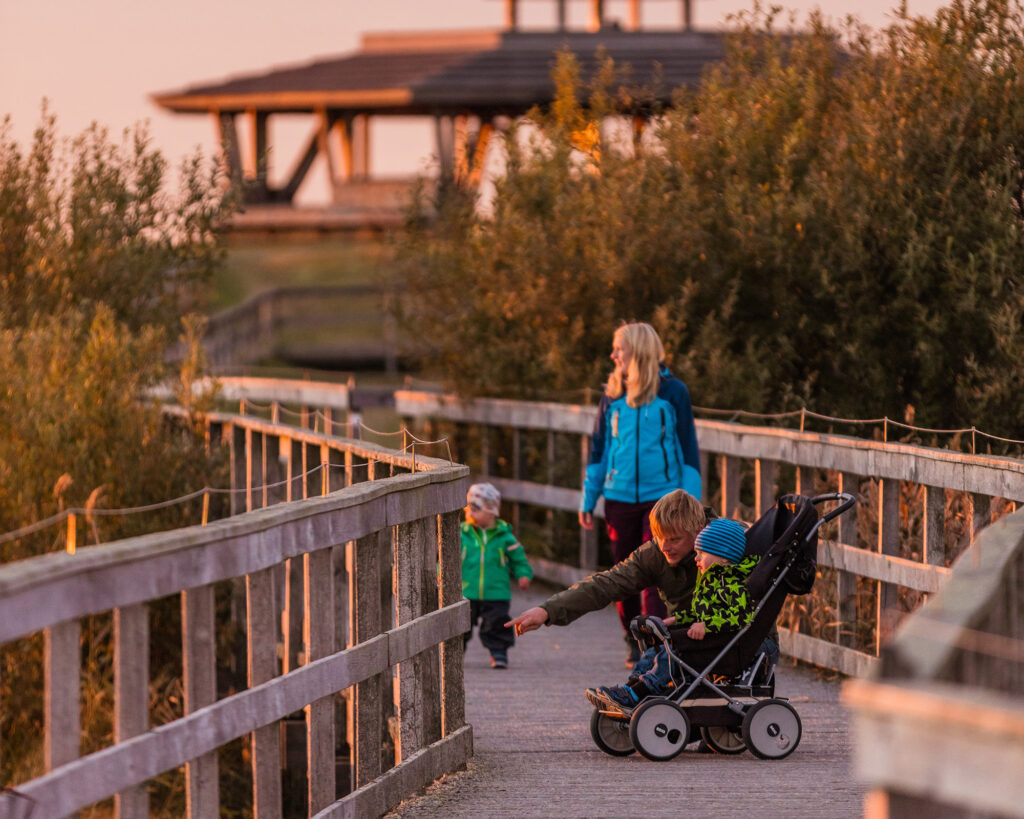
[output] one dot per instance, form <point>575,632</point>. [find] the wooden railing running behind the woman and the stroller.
<point>759,464</point>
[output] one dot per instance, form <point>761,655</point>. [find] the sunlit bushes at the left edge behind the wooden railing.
<point>98,267</point>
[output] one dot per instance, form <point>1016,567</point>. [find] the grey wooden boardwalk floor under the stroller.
<point>534,756</point>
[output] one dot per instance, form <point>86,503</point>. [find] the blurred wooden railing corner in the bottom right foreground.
<point>941,726</point>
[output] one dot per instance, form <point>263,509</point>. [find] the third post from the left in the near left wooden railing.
<point>200,683</point>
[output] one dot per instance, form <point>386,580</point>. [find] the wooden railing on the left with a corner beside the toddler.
<point>364,567</point>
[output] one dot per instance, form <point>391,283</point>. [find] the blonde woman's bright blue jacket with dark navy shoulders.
<point>642,454</point>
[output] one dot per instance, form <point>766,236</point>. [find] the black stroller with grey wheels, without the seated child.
<point>732,704</point>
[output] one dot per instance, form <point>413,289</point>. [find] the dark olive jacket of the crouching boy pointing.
<point>647,567</point>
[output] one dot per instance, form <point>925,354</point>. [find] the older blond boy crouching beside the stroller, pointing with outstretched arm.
<point>666,563</point>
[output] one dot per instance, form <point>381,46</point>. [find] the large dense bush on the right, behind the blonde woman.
<point>831,219</point>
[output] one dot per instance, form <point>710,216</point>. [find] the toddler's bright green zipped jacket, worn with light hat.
<point>490,559</point>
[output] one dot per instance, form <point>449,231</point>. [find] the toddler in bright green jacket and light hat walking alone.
<point>491,556</point>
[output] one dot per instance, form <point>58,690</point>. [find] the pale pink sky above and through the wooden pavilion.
<point>101,60</point>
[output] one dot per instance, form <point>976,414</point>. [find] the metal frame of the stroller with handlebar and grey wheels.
<point>741,711</point>
